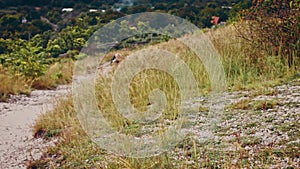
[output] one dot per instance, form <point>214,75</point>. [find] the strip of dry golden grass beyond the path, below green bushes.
<point>13,84</point>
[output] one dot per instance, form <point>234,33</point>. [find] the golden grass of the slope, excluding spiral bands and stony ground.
<point>75,150</point>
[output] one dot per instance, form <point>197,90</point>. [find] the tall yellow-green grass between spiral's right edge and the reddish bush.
<point>246,66</point>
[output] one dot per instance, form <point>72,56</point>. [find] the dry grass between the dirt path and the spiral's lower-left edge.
<point>74,149</point>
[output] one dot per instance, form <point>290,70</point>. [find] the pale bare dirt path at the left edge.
<point>17,145</point>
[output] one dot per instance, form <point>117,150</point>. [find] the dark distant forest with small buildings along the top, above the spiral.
<point>15,13</point>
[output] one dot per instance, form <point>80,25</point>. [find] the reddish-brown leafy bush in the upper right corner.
<point>273,27</point>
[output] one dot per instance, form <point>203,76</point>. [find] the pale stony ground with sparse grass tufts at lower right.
<point>258,128</point>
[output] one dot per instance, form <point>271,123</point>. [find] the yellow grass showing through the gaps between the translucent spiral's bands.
<point>146,81</point>
